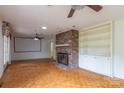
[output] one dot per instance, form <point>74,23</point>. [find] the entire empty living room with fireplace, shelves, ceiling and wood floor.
<point>61,46</point>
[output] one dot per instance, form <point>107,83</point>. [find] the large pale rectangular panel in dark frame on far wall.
<point>26,45</point>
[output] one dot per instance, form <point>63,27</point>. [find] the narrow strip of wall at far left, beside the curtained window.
<point>1,52</point>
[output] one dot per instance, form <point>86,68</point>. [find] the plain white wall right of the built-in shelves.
<point>119,49</point>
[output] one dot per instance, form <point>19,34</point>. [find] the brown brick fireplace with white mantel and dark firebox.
<point>67,43</point>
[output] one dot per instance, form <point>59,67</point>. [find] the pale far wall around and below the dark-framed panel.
<point>45,52</point>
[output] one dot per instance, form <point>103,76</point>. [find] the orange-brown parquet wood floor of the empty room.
<point>45,74</point>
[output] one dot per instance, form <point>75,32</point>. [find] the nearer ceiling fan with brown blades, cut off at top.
<point>96,8</point>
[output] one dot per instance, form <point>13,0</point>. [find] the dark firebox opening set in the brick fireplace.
<point>62,58</point>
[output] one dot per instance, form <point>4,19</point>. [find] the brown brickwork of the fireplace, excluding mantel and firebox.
<point>69,37</point>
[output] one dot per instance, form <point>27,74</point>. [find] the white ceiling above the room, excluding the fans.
<point>28,19</point>
